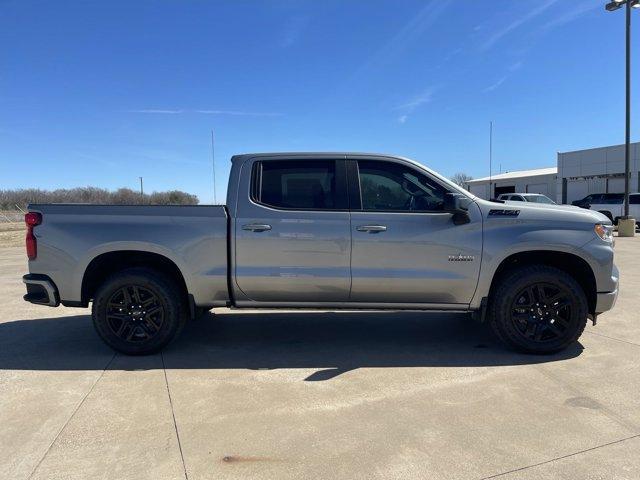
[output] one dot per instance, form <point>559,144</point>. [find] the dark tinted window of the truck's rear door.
<point>304,184</point>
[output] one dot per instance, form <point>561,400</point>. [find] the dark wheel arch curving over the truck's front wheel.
<point>570,263</point>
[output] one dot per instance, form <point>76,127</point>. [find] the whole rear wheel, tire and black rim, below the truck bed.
<point>120,316</point>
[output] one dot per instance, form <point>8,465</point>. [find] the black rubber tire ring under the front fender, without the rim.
<point>514,283</point>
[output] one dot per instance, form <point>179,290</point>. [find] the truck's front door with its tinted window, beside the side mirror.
<point>406,249</point>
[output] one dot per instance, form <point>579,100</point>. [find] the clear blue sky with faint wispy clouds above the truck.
<point>99,93</point>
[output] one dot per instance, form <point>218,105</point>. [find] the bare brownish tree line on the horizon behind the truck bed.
<point>122,196</point>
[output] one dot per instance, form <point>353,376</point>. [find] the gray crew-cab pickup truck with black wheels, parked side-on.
<point>326,231</point>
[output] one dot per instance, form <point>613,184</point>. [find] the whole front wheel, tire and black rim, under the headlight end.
<point>538,309</point>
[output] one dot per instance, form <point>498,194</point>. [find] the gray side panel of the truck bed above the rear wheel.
<point>194,238</point>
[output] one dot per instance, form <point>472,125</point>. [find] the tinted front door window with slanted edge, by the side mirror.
<point>393,187</point>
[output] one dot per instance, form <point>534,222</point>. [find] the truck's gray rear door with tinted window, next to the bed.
<point>292,231</point>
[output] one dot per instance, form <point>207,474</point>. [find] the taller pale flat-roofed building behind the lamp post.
<point>596,170</point>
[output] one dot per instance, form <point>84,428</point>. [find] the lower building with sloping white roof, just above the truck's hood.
<point>539,180</point>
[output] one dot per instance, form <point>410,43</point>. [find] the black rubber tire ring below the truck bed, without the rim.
<point>159,285</point>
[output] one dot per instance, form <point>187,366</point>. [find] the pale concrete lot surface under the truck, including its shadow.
<point>334,395</point>
